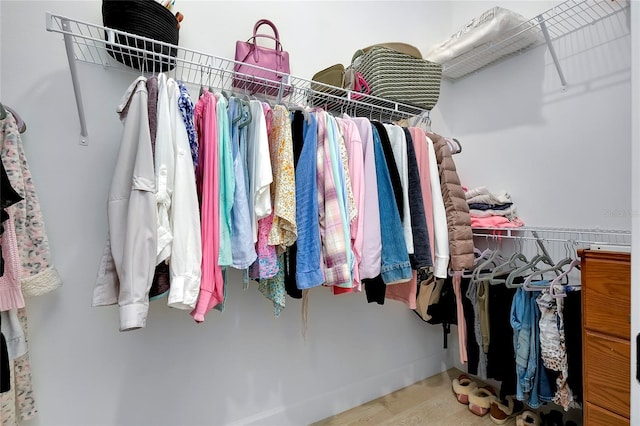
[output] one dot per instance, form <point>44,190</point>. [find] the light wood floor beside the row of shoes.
<point>428,402</point>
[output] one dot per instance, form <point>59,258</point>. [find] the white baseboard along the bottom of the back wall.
<point>342,399</point>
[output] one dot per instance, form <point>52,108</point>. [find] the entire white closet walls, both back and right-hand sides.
<point>564,156</point>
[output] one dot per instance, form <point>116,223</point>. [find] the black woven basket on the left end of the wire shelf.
<point>146,18</point>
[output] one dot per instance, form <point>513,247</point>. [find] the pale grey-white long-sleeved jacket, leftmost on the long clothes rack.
<point>129,259</point>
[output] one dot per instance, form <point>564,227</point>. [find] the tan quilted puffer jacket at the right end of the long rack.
<point>458,219</point>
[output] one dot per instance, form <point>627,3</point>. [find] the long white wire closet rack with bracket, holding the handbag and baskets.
<point>95,44</point>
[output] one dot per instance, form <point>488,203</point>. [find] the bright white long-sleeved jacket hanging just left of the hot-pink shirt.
<point>186,252</point>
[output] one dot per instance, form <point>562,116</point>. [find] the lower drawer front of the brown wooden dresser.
<point>606,372</point>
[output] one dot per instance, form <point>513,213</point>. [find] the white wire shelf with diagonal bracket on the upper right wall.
<point>545,28</point>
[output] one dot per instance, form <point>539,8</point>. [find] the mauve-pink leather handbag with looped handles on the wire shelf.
<point>260,69</point>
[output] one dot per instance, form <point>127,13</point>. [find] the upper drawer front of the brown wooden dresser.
<point>606,288</point>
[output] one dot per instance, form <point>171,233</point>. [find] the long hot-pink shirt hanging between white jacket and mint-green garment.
<point>211,285</point>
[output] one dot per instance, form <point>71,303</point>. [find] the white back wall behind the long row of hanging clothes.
<point>240,367</point>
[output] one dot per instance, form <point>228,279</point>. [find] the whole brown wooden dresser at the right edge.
<point>606,331</point>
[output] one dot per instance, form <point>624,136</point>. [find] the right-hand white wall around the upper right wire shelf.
<point>563,156</point>
